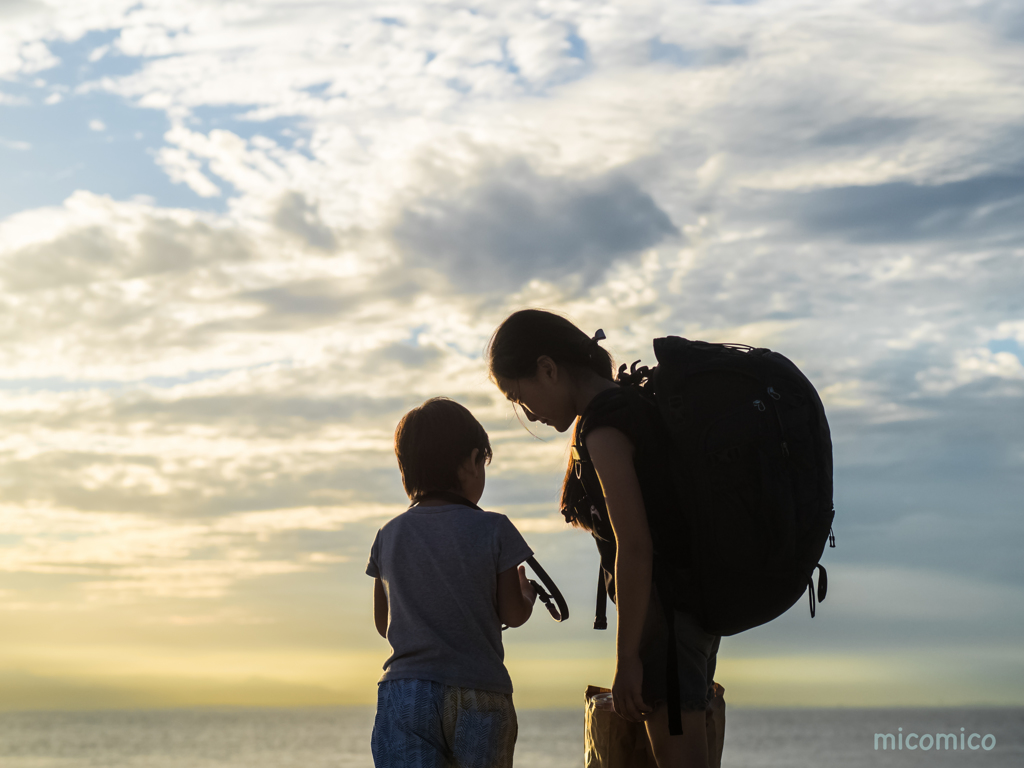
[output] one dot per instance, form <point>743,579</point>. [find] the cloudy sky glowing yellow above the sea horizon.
<point>239,241</point>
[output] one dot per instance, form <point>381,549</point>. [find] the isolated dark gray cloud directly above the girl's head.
<point>516,226</point>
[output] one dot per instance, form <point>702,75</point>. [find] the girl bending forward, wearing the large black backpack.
<point>557,374</point>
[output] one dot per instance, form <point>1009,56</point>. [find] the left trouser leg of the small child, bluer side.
<point>408,726</point>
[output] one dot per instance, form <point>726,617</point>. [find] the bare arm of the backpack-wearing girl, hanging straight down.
<point>612,453</point>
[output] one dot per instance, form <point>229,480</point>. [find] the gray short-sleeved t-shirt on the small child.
<point>440,568</point>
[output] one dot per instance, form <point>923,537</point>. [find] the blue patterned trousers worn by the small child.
<point>423,724</point>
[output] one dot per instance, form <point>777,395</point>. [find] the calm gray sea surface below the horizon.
<point>339,738</point>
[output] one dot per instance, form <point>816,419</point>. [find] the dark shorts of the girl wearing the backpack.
<point>697,655</point>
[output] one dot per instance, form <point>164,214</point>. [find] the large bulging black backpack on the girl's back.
<point>753,467</point>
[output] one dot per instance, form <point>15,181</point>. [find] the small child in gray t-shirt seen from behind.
<point>445,581</point>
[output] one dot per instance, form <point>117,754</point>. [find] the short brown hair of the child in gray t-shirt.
<point>432,441</point>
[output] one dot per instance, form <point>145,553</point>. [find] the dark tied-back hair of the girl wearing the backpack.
<point>513,354</point>
